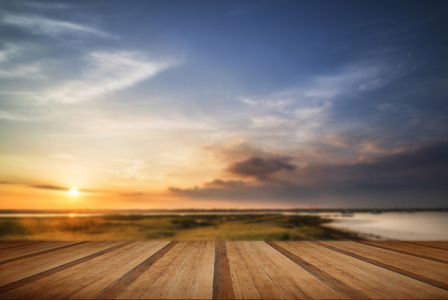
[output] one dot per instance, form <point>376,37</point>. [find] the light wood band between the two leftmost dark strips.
<point>30,269</point>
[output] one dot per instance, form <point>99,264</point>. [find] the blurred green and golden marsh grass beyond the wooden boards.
<point>170,227</point>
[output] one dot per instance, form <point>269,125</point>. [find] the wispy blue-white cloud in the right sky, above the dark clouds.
<point>302,111</point>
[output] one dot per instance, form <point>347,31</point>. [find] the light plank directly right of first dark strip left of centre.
<point>156,281</point>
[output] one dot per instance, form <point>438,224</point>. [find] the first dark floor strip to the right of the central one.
<point>329,280</point>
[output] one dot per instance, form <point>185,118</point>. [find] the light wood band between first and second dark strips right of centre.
<point>371,280</point>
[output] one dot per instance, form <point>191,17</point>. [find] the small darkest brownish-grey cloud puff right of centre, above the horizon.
<point>260,168</point>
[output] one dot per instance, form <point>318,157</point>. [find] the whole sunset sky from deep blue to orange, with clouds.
<point>223,104</point>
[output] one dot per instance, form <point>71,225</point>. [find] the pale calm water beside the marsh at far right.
<point>423,226</point>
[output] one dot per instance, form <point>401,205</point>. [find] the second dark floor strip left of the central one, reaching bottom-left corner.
<point>13,285</point>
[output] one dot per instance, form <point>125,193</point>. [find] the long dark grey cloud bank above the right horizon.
<point>415,178</point>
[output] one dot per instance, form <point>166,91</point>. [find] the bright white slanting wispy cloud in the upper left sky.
<point>108,72</point>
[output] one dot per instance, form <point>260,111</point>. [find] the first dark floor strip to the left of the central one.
<point>113,289</point>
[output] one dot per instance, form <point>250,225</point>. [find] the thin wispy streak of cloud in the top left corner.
<point>54,28</point>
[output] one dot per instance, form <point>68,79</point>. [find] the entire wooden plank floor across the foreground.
<point>220,270</point>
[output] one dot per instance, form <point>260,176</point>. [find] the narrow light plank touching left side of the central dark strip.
<point>202,286</point>
